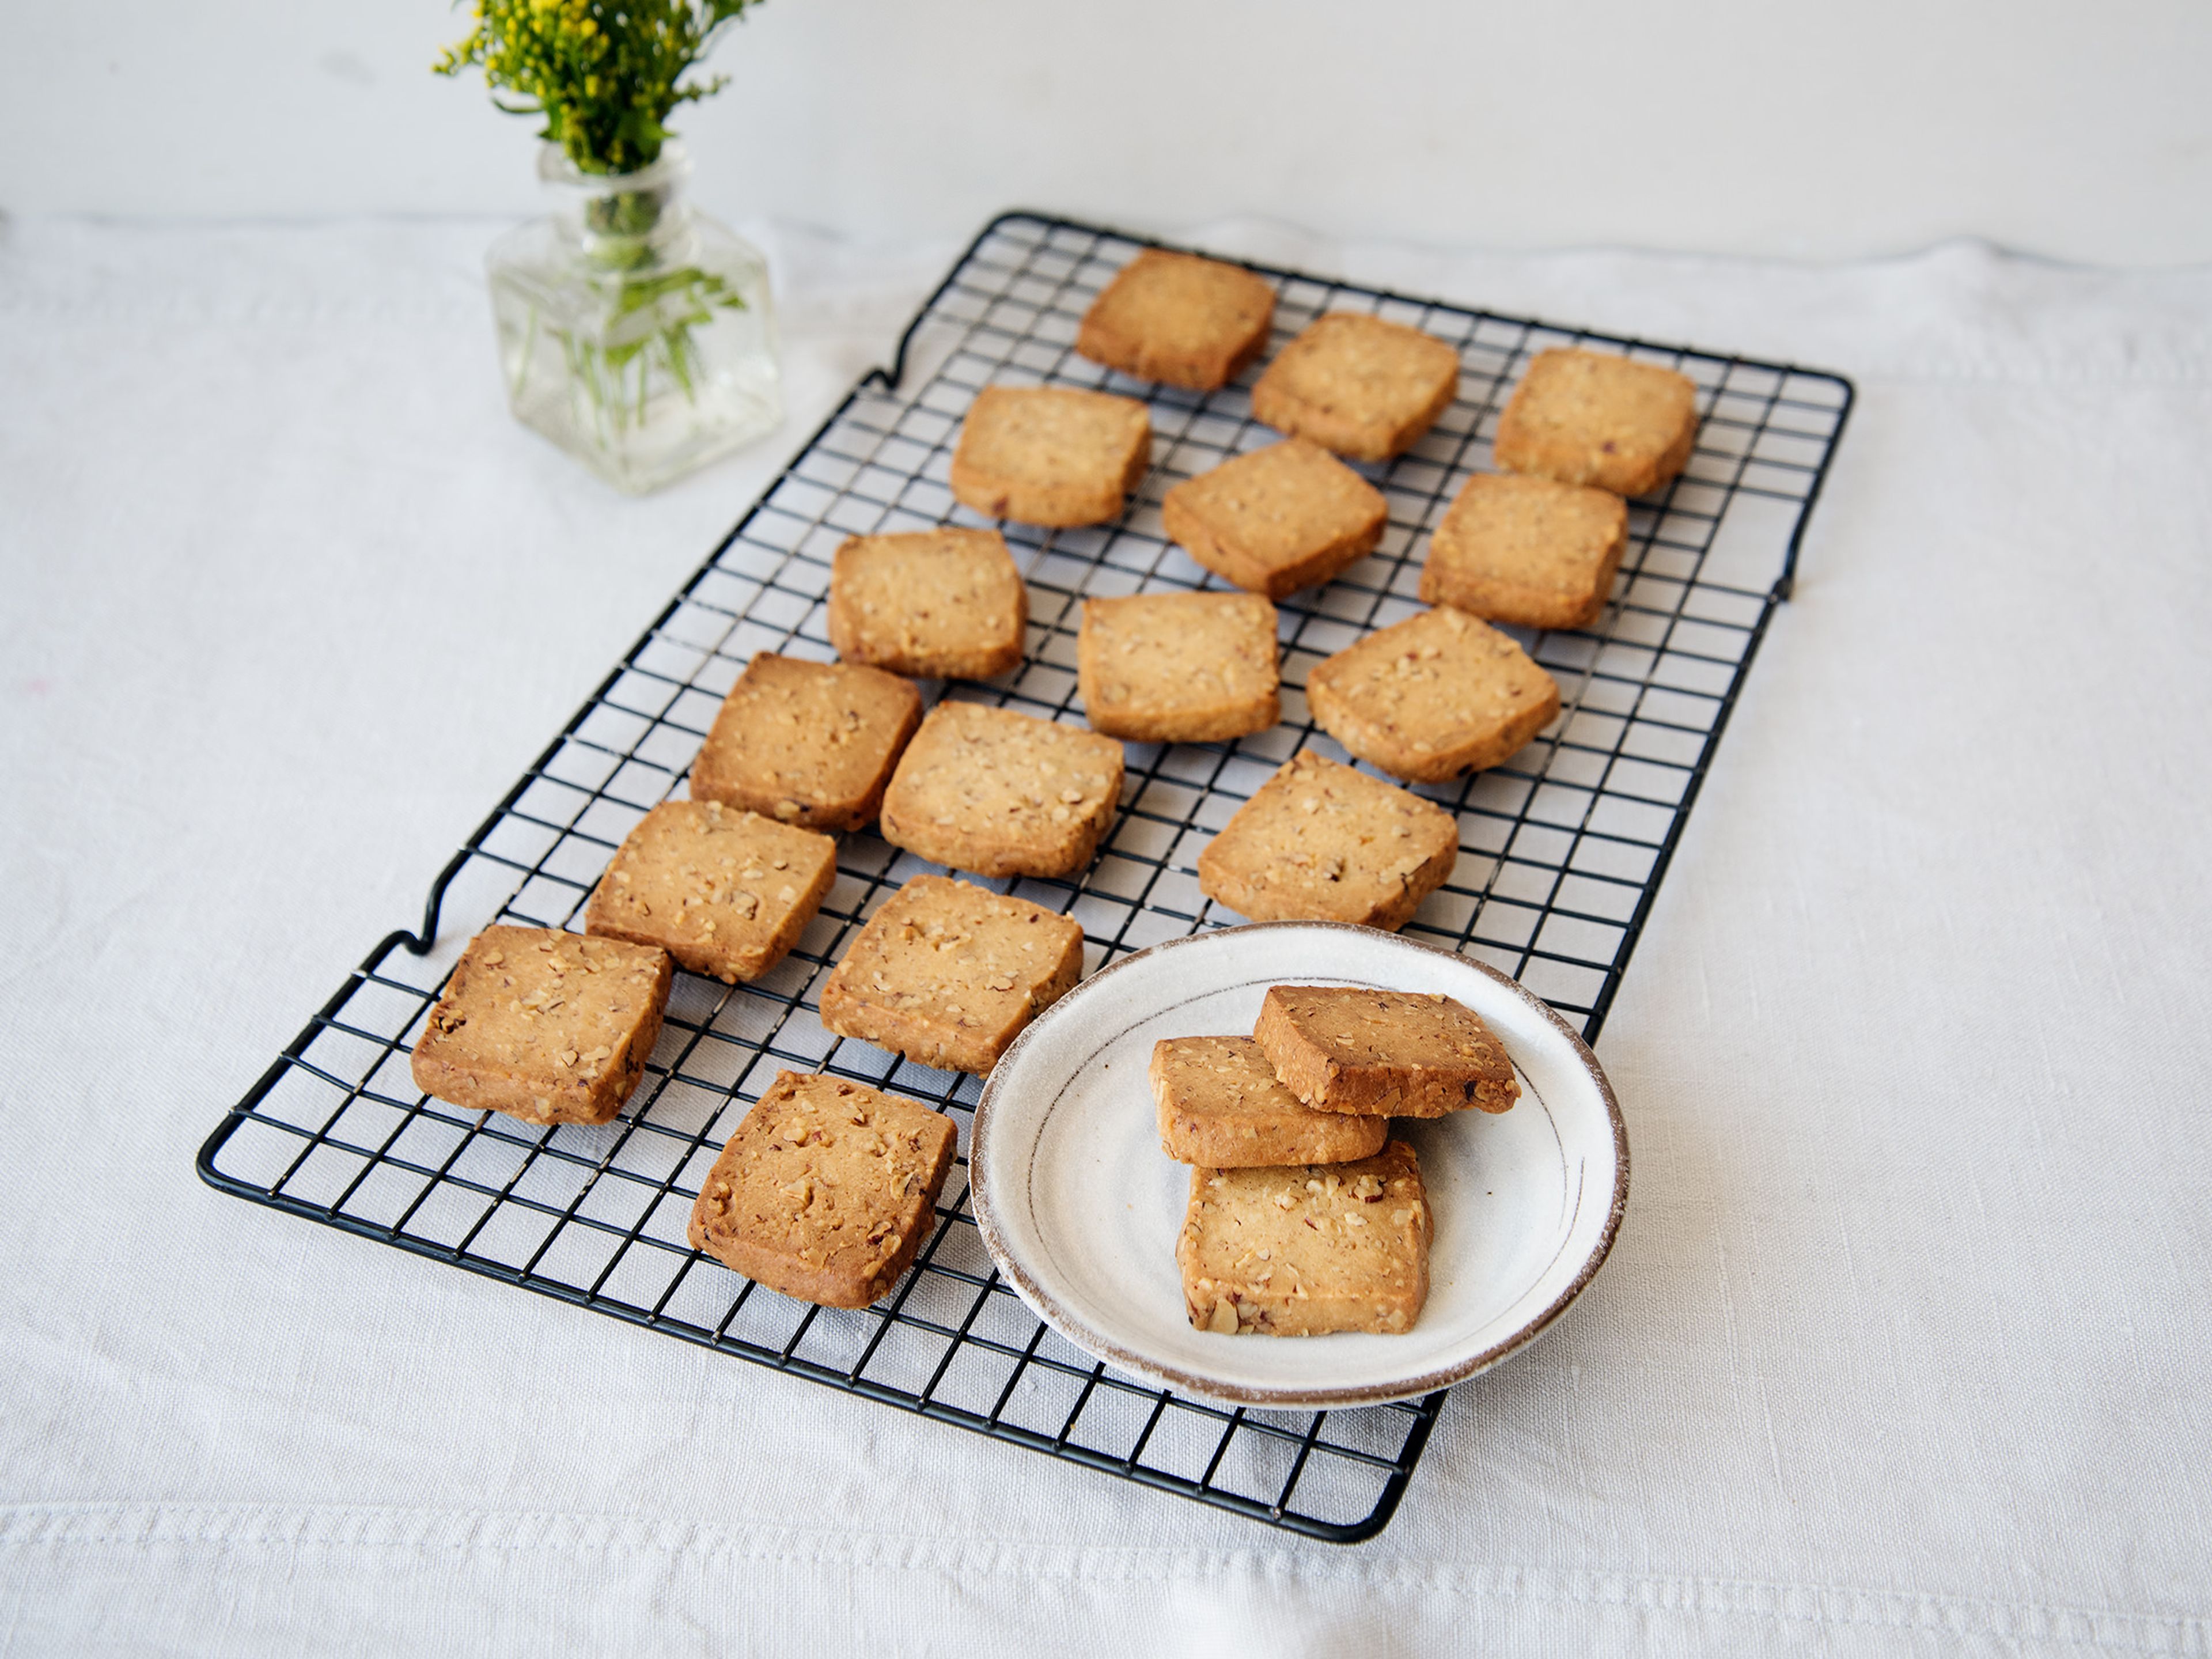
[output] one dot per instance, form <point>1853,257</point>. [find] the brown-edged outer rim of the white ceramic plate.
<point>1286,1399</point>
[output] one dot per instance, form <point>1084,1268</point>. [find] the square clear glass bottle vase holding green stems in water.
<point>636,333</point>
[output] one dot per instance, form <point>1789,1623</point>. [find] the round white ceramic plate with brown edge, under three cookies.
<point>1081,1209</point>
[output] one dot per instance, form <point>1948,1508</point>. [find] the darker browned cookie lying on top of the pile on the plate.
<point>1384,1054</point>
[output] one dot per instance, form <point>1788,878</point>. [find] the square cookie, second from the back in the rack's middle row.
<point>1277,521</point>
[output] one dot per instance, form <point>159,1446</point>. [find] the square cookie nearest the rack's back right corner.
<point>1598,419</point>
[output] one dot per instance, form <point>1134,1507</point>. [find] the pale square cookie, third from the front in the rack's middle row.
<point>1001,793</point>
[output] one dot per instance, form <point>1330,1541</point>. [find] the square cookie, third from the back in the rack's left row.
<point>939,605</point>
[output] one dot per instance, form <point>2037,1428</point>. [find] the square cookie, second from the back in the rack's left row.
<point>1052,455</point>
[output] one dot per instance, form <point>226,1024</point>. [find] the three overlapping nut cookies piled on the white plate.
<point>1306,1215</point>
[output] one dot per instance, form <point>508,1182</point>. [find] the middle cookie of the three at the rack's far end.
<point>1359,386</point>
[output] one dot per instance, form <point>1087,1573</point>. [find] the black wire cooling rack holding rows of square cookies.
<point>1561,857</point>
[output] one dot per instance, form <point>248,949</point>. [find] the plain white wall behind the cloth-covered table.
<point>2069,129</point>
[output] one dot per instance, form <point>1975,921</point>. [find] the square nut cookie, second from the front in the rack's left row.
<point>722,893</point>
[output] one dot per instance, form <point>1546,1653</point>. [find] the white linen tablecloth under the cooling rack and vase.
<point>1903,1346</point>
